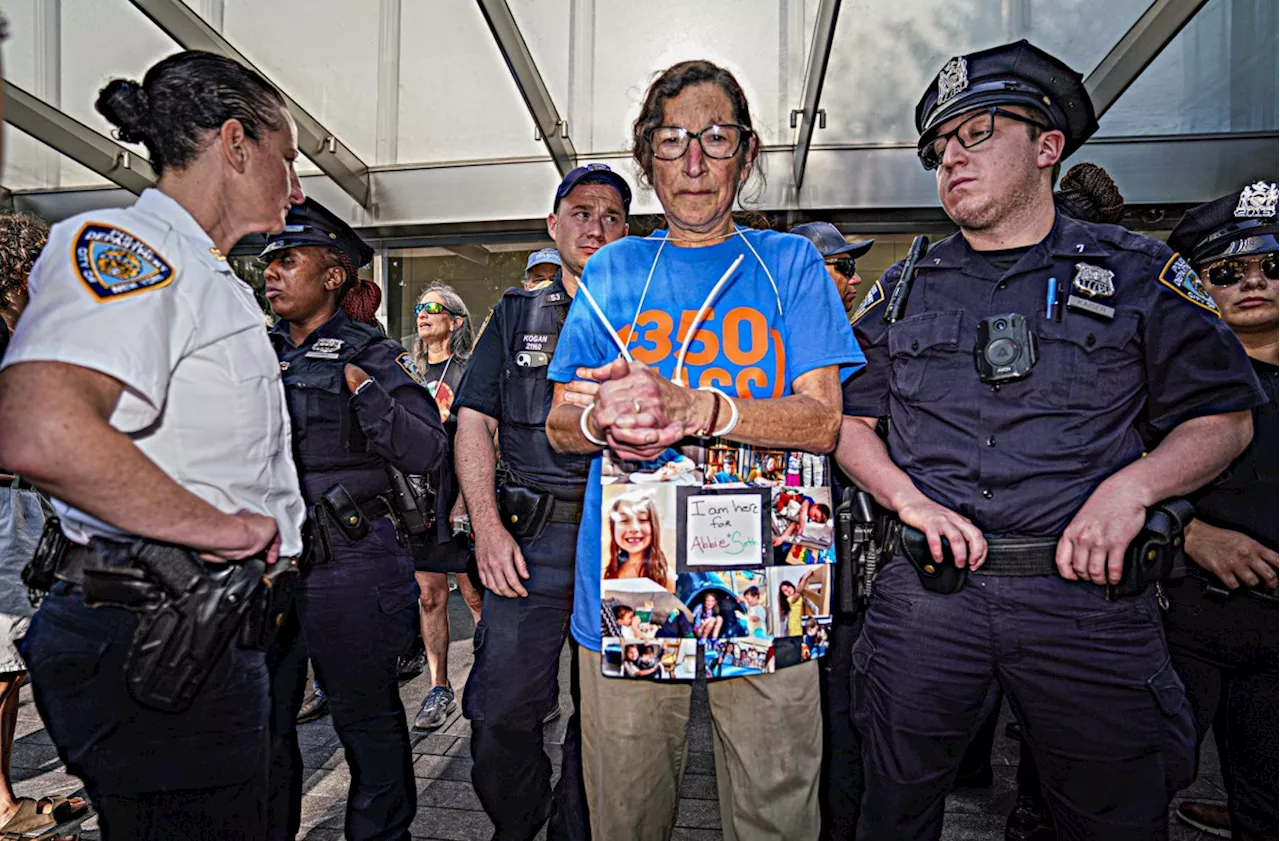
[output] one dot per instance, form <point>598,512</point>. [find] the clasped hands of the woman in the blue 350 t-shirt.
<point>637,410</point>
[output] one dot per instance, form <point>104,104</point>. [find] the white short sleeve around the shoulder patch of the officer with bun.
<point>136,340</point>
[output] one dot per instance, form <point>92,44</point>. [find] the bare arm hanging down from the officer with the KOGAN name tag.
<point>499,557</point>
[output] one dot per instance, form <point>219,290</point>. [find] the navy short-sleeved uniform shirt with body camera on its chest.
<point>1022,458</point>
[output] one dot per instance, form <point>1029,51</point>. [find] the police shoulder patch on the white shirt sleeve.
<point>115,264</point>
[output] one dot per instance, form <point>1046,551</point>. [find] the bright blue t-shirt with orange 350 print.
<point>755,341</point>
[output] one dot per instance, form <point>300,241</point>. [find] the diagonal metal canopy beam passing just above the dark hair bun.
<point>335,159</point>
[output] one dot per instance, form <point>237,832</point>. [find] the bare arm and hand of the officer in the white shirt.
<point>54,431</point>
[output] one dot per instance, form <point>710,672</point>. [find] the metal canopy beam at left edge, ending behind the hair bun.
<point>77,141</point>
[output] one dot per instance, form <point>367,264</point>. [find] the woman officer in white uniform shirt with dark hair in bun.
<point>141,392</point>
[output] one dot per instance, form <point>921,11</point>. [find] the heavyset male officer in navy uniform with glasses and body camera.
<point>1018,372</point>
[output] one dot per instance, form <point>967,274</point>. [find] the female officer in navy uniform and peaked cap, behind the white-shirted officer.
<point>358,405</point>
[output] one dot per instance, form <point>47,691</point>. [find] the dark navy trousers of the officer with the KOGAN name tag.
<point>514,685</point>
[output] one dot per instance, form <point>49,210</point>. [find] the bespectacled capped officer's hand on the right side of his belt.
<point>1092,549</point>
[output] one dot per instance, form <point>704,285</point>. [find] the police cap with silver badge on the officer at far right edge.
<point>1235,226</point>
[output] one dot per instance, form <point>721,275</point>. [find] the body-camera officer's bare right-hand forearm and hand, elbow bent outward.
<point>1191,456</point>
